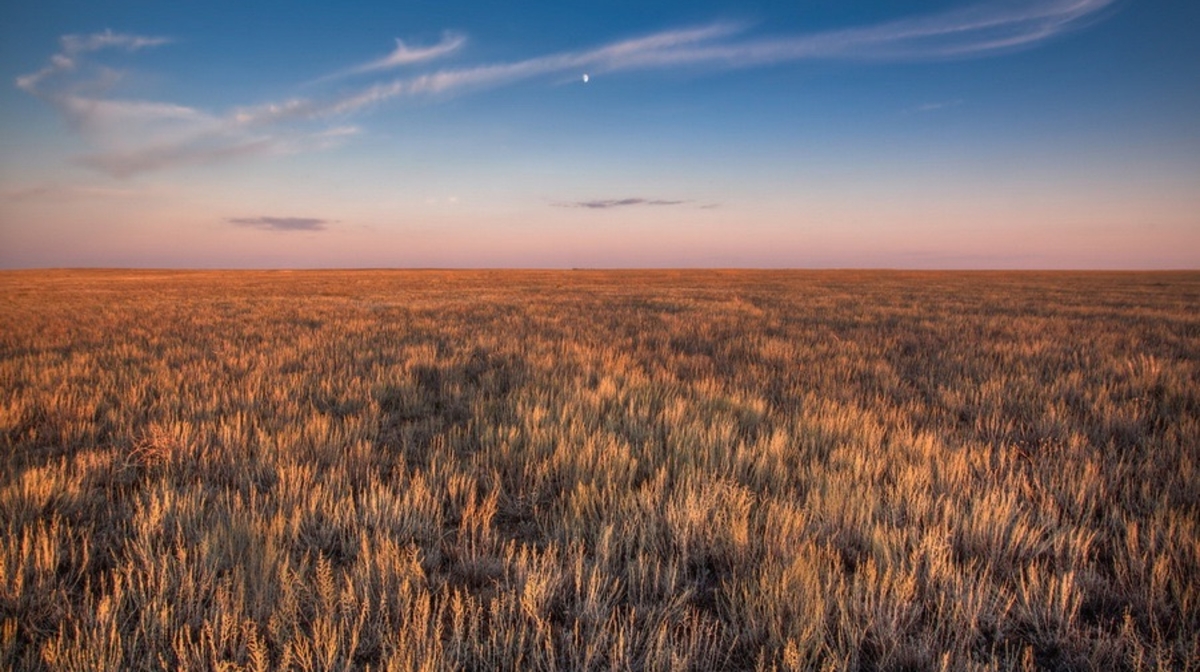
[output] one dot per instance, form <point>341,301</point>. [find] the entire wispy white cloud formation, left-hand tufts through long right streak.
<point>133,137</point>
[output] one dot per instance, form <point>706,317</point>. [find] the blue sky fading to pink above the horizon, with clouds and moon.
<point>455,134</point>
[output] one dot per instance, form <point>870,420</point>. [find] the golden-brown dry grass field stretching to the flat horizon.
<point>599,471</point>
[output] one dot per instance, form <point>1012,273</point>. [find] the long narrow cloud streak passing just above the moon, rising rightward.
<point>970,33</point>
